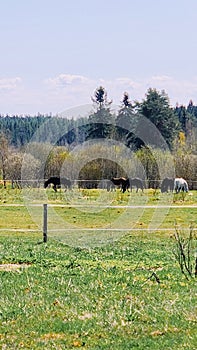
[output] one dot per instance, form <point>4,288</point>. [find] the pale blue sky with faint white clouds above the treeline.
<point>55,53</point>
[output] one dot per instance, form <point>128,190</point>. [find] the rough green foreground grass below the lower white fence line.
<point>103,298</point>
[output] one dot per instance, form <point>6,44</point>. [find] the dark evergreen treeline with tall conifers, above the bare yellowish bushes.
<point>20,129</point>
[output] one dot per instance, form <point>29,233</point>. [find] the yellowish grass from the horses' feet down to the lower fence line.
<point>85,209</point>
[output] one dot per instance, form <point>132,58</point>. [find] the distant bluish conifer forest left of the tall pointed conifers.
<point>21,130</point>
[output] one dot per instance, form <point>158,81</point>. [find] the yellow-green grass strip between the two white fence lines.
<point>20,218</point>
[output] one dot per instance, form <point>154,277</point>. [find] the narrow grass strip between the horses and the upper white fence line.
<point>96,197</point>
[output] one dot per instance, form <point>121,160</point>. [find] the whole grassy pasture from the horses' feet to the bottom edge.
<point>128,293</point>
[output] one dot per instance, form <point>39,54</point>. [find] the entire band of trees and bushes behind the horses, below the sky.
<point>149,139</point>
